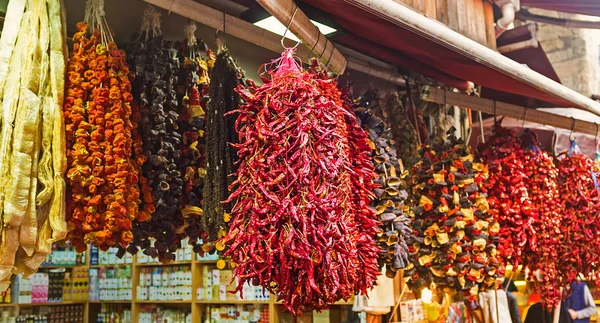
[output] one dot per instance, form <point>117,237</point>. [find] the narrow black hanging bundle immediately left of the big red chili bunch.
<point>220,156</point>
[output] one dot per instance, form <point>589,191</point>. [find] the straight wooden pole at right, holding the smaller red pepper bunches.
<point>441,96</point>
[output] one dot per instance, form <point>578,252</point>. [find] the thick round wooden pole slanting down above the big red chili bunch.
<point>288,13</point>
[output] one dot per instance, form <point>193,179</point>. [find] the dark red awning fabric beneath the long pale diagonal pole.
<point>417,51</point>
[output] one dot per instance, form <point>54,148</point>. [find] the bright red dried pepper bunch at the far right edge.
<point>578,189</point>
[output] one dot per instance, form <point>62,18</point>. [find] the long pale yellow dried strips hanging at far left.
<point>32,150</point>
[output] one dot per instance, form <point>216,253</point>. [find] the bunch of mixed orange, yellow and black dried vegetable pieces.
<point>454,243</point>
